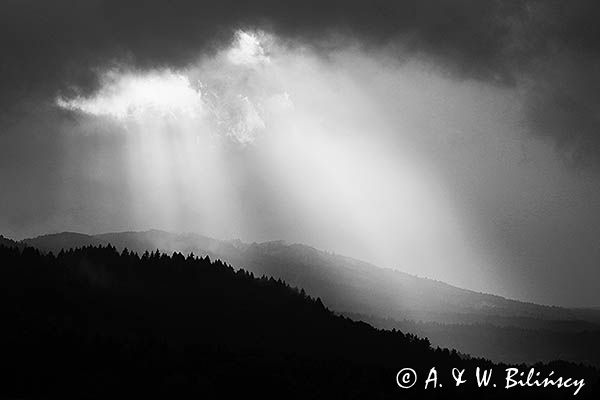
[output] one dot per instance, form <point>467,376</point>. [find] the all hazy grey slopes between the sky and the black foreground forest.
<point>481,324</point>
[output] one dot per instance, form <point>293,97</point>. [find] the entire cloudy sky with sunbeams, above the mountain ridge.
<point>455,140</point>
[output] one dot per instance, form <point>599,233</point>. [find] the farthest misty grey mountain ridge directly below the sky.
<point>345,284</point>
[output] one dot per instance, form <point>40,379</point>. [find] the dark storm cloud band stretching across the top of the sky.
<point>549,48</point>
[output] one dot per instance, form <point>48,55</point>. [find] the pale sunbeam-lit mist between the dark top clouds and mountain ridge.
<point>392,160</point>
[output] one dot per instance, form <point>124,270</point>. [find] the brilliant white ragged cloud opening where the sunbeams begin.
<point>226,93</point>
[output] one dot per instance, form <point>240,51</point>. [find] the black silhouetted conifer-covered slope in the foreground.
<point>97,323</point>
